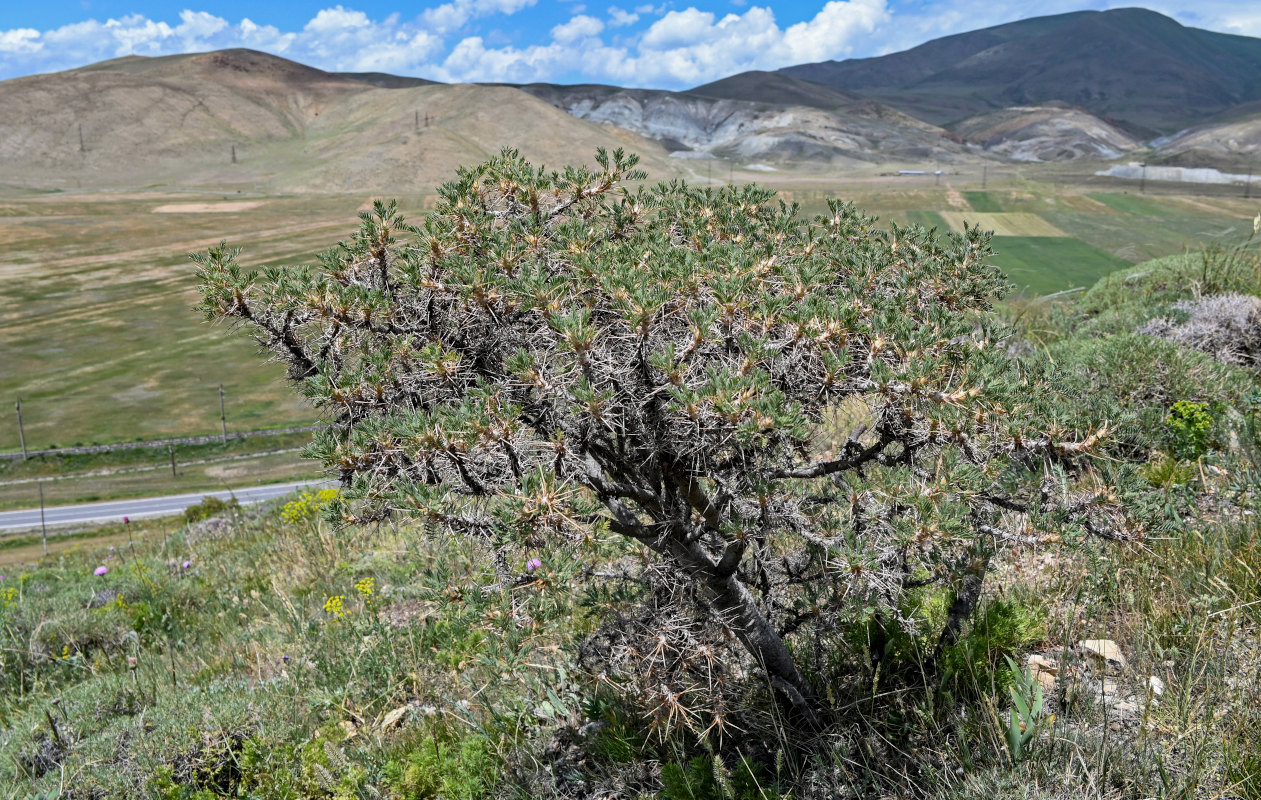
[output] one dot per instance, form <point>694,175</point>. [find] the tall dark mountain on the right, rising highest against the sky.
<point>1130,66</point>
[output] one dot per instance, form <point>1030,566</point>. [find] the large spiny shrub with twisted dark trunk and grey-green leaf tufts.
<point>558,355</point>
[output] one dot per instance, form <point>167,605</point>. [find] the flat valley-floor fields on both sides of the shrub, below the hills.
<point>96,291</point>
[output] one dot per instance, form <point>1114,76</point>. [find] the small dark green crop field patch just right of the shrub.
<point>1047,264</point>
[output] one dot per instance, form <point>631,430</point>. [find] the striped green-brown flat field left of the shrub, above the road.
<point>102,343</point>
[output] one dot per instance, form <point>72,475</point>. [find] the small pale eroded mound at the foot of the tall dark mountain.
<point>1046,134</point>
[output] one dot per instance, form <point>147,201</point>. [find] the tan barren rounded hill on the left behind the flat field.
<point>176,121</point>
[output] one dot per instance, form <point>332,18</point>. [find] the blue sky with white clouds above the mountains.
<point>654,44</point>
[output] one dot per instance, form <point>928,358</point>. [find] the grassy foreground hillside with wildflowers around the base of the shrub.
<point>267,654</point>
